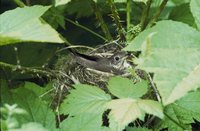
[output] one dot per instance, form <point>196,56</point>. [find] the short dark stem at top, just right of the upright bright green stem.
<point>145,14</point>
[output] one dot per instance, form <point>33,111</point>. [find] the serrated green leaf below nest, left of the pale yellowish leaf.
<point>85,98</point>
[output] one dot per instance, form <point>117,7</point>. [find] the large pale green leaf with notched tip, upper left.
<point>25,24</point>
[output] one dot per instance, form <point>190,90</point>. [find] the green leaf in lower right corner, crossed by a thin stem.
<point>184,111</point>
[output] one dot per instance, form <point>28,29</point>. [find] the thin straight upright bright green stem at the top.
<point>128,14</point>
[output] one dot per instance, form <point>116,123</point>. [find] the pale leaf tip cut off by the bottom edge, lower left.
<point>32,126</point>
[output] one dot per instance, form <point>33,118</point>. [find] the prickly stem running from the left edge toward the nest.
<point>26,70</point>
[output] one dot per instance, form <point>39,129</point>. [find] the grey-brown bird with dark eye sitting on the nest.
<point>115,64</point>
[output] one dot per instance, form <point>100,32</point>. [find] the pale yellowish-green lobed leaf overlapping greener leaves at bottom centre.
<point>124,111</point>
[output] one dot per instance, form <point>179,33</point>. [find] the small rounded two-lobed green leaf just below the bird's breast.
<point>125,88</point>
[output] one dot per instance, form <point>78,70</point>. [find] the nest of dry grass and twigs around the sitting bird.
<point>70,72</point>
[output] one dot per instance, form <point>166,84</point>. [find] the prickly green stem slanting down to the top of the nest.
<point>116,18</point>
